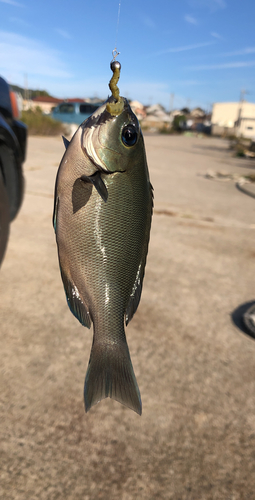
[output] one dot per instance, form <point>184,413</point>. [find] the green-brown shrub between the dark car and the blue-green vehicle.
<point>40,124</point>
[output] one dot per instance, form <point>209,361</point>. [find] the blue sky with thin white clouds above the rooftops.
<point>202,51</point>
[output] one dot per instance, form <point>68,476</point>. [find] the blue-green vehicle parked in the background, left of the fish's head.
<point>74,112</point>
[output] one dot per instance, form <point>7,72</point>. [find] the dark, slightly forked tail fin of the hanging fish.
<point>110,374</point>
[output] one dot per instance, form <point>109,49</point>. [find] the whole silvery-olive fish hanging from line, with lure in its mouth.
<point>102,219</point>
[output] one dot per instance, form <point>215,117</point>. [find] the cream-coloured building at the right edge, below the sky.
<point>234,118</point>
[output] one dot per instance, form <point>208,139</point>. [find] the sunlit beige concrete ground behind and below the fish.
<point>195,368</point>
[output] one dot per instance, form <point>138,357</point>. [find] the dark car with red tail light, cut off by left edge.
<point>13,141</point>
